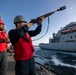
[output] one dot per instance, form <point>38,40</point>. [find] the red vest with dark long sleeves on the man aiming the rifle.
<point>22,43</point>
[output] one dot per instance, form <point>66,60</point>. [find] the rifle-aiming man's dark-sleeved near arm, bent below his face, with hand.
<point>15,34</point>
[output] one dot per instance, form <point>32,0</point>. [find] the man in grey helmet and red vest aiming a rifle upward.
<point>23,47</point>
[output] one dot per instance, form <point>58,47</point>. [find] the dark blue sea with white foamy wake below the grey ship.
<point>61,62</point>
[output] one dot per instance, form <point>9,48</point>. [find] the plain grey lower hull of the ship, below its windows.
<point>59,46</point>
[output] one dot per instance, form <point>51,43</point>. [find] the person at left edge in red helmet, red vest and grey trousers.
<point>3,47</point>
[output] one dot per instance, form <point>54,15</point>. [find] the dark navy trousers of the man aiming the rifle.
<point>25,67</point>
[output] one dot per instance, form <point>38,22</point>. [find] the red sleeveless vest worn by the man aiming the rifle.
<point>23,49</point>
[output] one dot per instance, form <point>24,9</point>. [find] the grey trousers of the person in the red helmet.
<point>3,63</point>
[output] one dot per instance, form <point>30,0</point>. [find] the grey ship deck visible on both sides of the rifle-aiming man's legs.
<point>40,70</point>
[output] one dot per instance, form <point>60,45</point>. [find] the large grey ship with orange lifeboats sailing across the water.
<point>64,39</point>
